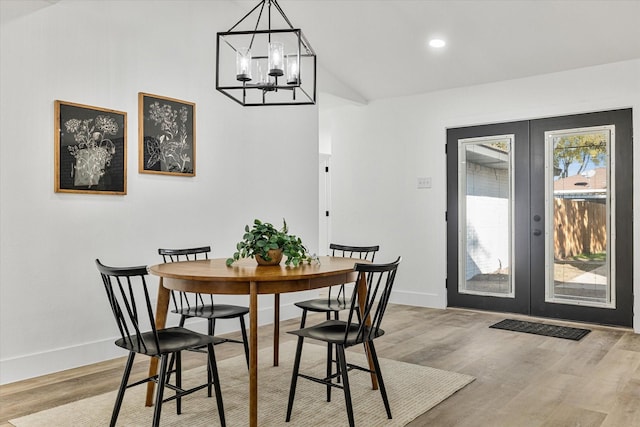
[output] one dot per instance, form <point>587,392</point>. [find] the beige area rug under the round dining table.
<point>412,390</point>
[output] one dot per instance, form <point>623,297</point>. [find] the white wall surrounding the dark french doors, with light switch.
<point>380,149</point>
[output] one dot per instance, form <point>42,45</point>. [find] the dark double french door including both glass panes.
<point>539,217</point>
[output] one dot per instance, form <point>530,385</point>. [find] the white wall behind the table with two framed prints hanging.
<point>53,310</point>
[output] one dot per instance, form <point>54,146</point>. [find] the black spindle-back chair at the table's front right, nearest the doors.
<point>362,326</point>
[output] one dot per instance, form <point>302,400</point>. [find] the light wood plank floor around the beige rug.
<point>522,380</point>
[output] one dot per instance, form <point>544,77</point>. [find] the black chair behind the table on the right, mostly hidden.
<point>338,301</point>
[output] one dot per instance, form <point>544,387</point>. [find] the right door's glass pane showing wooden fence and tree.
<point>578,216</point>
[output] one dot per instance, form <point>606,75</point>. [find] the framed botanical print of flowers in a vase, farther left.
<point>90,149</point>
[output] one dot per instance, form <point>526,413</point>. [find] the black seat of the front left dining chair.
<point>171,340</point>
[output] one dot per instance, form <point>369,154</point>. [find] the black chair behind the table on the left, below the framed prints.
<point>188,305</point>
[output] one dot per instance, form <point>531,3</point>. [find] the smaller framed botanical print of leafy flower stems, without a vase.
<point>167,141</point>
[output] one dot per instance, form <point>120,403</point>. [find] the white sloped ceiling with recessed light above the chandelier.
<point>374,49</point>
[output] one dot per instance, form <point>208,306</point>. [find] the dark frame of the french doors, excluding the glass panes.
<point>529,150</point>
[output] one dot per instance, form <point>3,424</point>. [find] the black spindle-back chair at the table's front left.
<point>131,305</point>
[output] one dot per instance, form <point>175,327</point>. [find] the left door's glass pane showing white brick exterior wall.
<point>484,229</point>
